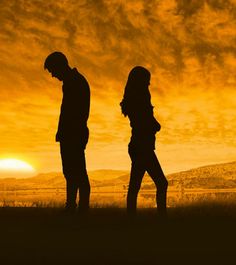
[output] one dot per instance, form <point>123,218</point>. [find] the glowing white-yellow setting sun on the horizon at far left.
<point>14,165</point>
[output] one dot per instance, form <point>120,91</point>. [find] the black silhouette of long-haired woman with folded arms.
<point>136,104</point>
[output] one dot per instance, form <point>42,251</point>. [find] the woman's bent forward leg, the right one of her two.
<point>155,171</point>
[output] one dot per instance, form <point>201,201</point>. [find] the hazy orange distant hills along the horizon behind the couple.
<point>217,176</point>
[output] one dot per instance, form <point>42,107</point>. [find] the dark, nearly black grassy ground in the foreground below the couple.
<point>191,235</point>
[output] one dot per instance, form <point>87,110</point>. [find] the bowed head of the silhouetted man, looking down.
<point>57,64</point>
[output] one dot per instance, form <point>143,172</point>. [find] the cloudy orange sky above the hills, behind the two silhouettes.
<point>189,47</point>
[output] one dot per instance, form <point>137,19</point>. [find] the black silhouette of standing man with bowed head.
<point>72,130</point>
